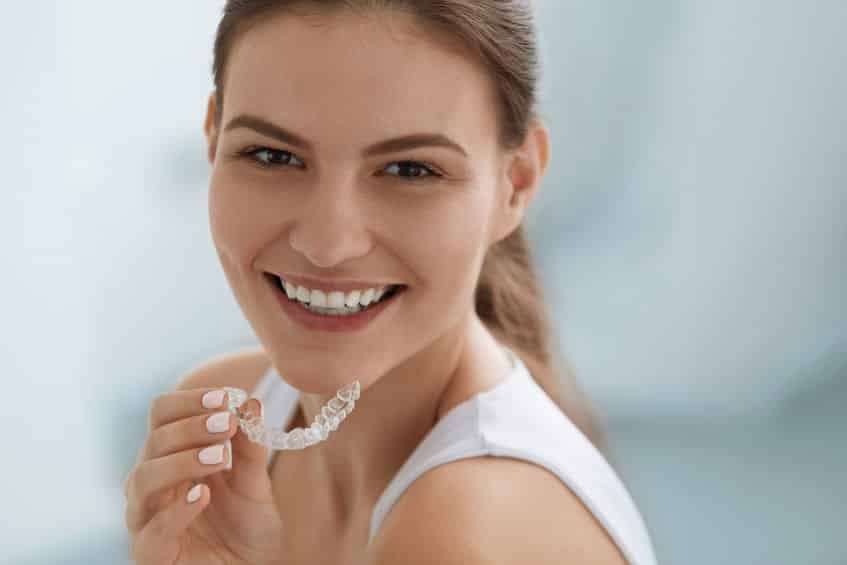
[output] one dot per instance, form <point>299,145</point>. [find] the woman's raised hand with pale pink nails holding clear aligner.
<point>234,520</point>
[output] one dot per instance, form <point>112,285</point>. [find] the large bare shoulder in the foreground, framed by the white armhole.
<point>492,510</point>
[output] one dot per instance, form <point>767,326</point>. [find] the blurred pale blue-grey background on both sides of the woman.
<point>691,234</point>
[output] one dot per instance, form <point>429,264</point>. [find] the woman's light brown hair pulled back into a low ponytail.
<point>501,34</point>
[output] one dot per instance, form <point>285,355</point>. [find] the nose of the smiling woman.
<point>330,228</point>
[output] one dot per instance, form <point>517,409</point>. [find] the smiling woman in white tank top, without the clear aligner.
<point>372,164</point>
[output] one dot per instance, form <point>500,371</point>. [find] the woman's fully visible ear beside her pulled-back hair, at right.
<point>522,175</point>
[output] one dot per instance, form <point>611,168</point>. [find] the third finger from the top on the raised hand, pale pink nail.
<point>151,479</point>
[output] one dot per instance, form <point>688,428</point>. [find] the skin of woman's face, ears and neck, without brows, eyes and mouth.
<point>344,82</point>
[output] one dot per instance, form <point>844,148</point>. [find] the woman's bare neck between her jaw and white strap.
<point>394,415</point>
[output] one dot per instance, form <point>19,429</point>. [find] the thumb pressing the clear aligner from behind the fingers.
<point>248,466</point>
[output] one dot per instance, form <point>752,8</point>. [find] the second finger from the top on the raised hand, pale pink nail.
<point>193,431</point>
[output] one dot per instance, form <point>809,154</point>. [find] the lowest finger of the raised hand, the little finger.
<point>159,540</point>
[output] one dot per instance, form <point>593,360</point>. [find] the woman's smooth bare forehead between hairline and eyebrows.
<point>344,79</point>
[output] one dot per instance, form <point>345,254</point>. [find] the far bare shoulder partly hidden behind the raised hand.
<point>241,368</point>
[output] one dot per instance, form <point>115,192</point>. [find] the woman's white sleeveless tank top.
<point>514,419</point>
